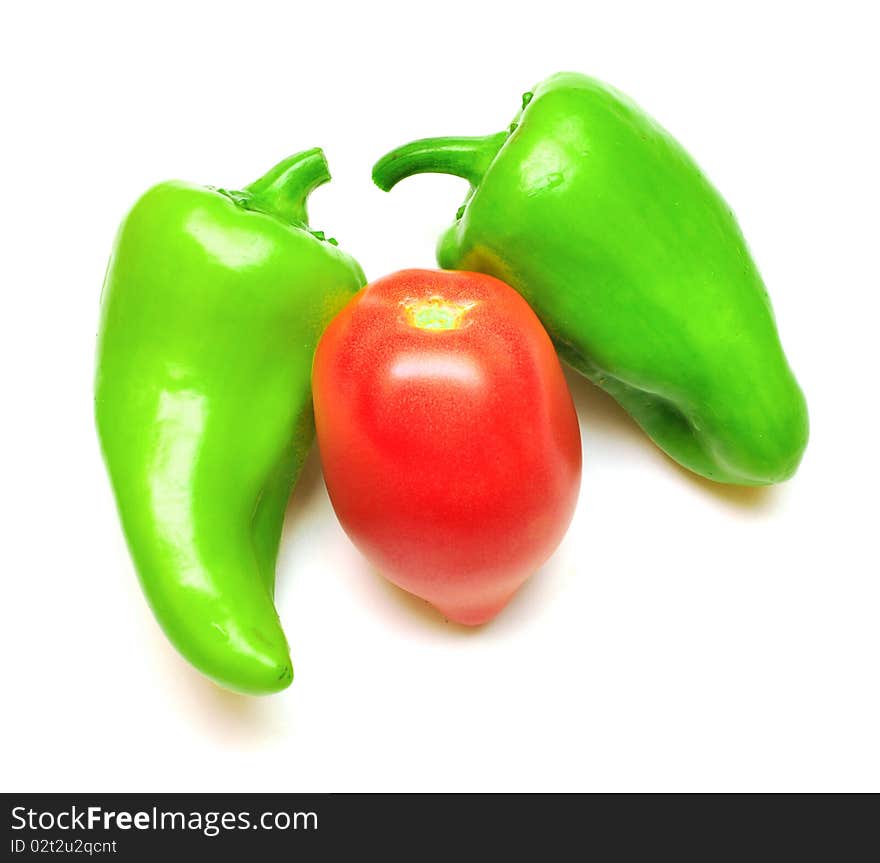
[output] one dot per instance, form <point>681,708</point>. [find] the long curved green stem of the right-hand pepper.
<point>463,157</point>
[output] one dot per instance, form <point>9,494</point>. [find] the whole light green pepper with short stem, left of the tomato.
<point>212,306</point>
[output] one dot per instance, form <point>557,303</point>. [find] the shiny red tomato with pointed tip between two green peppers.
<point>449,440</point>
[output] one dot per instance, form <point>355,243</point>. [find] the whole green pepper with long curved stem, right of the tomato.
<point>635,265</point>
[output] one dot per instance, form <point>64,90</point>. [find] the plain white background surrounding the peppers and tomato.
<point>685,636</point>
